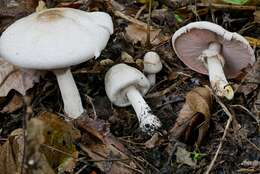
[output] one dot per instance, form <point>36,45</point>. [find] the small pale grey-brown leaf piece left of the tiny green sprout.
<point>184,157</point>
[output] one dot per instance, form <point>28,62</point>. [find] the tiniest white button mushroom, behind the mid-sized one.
<point>152,65</point>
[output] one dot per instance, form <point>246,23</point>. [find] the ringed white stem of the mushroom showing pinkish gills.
<point>215,63</point>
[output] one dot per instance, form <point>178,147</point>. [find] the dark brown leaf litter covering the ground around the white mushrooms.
<point>113,144</point>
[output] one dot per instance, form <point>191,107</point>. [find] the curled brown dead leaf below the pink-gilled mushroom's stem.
<point>195,114</point>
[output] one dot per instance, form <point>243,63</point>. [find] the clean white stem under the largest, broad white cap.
<point>69,92</point>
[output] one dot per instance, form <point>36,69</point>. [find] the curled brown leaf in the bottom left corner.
<point>11,153</point>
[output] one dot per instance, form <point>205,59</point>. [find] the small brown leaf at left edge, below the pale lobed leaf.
<point>14,104</point>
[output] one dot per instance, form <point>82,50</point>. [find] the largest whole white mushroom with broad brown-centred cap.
<point>55,39</point>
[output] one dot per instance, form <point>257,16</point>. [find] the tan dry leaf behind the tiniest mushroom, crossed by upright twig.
<point>136,33</point>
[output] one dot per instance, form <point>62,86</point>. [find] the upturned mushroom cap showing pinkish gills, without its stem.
<point>191,40</point>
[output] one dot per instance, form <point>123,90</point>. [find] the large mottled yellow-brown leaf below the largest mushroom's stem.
<point>59,147</point>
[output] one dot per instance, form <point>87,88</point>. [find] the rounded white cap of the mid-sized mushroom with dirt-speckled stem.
<point>119,78</point>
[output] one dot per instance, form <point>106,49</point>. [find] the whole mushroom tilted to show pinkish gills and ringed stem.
<point>208,48</point>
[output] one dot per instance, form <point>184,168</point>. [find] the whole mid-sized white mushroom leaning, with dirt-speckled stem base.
<point>125,86</point>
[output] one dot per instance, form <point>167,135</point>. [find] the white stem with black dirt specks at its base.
<point>148,121</point>
